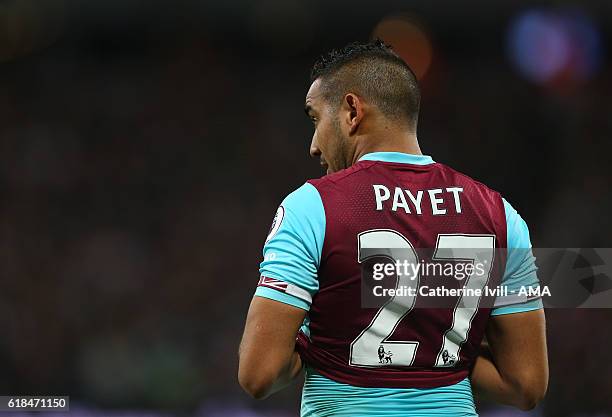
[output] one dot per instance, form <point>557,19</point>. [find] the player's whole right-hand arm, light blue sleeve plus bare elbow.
<point>513,369</point>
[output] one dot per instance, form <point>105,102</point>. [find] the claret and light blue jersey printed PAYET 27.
<point>398,359</point>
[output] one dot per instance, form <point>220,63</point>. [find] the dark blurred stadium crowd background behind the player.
<point>145,146</point>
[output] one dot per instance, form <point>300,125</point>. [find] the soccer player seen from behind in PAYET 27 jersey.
<point>382,197</point>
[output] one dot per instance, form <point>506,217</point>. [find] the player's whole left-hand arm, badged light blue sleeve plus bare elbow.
<point>289,280</point>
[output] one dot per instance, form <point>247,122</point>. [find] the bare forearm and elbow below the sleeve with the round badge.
<point>268,360</point>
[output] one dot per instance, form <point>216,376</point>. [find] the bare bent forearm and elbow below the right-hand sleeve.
<point>514,368</point>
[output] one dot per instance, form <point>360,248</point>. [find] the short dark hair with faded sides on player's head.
<point>373,70</point>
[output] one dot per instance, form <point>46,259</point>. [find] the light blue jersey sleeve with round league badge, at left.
<point>292,252</point>
